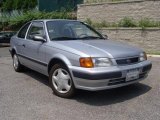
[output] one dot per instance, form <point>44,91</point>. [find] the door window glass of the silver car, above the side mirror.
<point>36,29</point>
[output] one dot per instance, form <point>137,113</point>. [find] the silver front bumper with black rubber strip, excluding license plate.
<point>102,78</point>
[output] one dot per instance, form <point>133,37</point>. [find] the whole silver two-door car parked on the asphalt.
<point>76,56</point>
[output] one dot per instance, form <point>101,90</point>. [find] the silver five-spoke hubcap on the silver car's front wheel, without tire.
<point>61,80</point>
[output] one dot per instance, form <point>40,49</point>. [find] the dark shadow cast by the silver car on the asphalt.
<point>99,98</point>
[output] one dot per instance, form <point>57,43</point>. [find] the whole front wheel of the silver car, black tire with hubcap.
<point>61,81</point>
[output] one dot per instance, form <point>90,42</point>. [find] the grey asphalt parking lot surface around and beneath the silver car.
<point>27,96</point>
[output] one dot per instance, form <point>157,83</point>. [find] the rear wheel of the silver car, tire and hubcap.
<point>16,64</point>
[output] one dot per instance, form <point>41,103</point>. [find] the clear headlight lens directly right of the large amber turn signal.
<point>102,62</point>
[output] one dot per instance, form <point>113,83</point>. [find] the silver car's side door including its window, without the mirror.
<point>35,50</point>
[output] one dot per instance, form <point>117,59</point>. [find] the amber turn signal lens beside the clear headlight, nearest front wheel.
<point>86,62</point>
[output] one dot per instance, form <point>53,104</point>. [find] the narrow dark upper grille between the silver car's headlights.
<point>127,61</point>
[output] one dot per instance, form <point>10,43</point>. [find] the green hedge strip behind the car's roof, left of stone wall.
<point>14,22</point>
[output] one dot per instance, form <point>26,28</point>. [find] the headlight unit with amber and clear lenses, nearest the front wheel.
<point>95,62</point>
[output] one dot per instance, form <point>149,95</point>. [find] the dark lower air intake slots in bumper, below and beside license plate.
<point>123,80</point>
